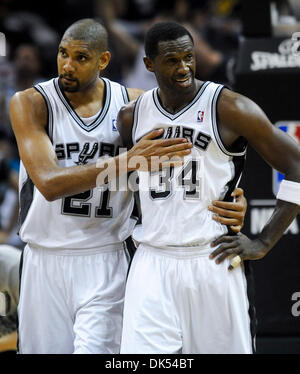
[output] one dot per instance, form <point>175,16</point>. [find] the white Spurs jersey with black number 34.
<point>174,202</point>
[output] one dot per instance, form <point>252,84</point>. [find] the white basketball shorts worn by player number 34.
<point>180,301</point>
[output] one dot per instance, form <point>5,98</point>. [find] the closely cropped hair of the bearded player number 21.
<point>89,30</point>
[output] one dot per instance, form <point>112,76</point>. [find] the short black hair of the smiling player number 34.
<point>161,32</point>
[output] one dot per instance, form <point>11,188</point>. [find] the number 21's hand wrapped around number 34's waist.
<point>231,213</point>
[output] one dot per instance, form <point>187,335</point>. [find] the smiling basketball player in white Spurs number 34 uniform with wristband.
<point>177,299</point>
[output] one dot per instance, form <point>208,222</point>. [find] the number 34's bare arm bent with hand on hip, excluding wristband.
<point>239,116</point>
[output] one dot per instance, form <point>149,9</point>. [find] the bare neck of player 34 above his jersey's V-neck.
<point>173,102</point>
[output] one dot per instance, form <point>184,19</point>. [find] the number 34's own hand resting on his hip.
<point>237,245</point>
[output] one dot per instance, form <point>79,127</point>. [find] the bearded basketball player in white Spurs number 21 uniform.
<point>75,263</point>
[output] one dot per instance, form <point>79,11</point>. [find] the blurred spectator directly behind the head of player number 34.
<point>128,43</point>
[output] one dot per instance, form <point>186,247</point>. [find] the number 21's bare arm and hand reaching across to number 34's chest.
<point>28,115</point>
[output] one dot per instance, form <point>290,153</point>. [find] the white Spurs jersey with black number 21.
<point>94,218</point>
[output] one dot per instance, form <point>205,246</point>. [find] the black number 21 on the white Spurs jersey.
<point>78,205</point>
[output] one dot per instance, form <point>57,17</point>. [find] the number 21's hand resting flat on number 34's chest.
<point>151,154</point>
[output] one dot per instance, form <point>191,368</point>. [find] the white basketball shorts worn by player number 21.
<point>71,301</point>
